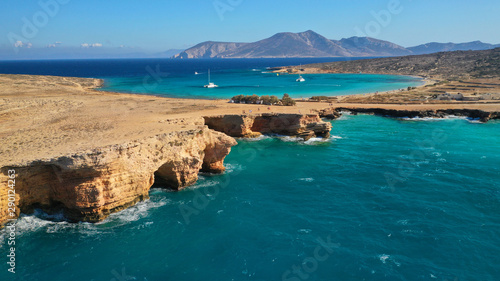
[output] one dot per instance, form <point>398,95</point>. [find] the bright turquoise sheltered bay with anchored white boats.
<point>259,82</point>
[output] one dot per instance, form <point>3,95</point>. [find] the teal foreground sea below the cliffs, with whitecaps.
<point>388,199</point>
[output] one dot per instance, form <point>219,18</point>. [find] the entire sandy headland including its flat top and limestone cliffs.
<point>63,134</point>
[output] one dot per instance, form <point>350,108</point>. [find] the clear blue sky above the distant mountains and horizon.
<point>156,26</point>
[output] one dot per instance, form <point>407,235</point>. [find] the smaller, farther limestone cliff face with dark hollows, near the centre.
<point>304,126</point>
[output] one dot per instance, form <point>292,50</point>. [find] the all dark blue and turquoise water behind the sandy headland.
<point>177,78</point>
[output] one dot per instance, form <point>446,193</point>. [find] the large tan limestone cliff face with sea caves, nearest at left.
<point>90,185</point>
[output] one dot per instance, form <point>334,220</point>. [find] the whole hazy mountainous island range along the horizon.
<point>312,44</point>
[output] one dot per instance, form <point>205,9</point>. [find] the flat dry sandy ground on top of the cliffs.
<point>44,116</point>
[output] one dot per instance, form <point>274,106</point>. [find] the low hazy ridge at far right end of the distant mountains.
<point>434,47</point>
